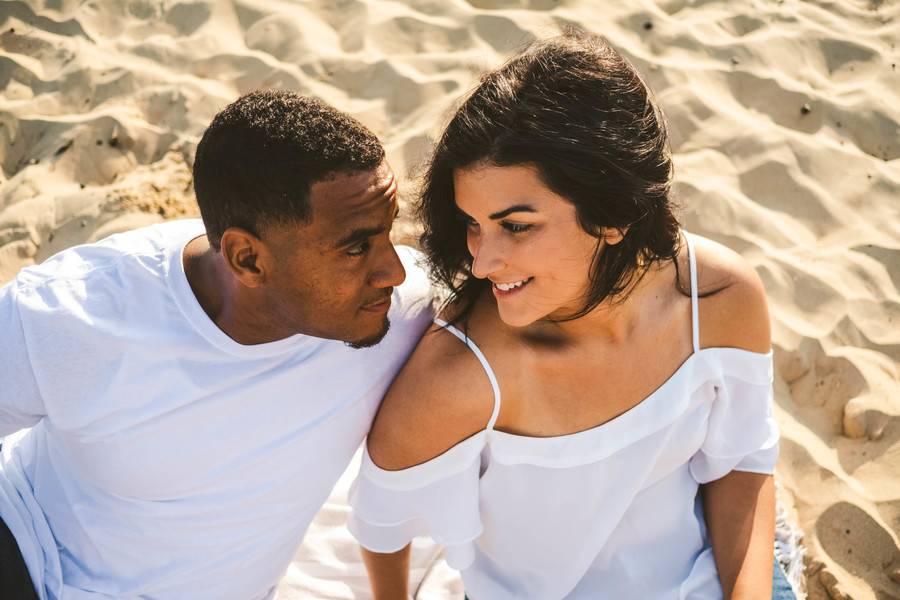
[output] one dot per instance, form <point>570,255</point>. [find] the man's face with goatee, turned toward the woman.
<point>333,276</point>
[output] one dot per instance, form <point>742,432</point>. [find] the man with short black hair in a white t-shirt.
<point>190,392</point>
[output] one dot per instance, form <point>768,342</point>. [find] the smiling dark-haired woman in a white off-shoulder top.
<point>591,416</point>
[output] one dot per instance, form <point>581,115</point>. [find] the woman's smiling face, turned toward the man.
<point>526,240</point>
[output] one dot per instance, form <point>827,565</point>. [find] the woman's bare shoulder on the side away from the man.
<point>734,312</point>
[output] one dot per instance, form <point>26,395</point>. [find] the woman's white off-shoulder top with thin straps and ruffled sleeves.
<point>609,512</point>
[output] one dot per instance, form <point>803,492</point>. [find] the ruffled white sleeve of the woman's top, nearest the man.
<point>438,498</point>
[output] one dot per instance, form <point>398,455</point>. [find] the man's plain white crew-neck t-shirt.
<point>164,459</point>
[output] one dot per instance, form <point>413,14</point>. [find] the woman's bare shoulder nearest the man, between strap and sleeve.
<point>441,397</point>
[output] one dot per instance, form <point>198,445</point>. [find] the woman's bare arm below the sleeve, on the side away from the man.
<point>740,516</point>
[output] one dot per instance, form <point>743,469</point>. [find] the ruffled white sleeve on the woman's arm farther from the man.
<point>742,434</point>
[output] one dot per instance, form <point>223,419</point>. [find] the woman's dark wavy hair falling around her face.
<point>578,112</point>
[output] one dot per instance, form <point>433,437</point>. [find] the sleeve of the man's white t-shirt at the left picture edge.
<point>21,405</point>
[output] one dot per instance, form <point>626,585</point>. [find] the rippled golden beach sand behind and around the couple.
<point>784,119</point>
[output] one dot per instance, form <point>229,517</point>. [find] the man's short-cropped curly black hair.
<point>260,156</point>
